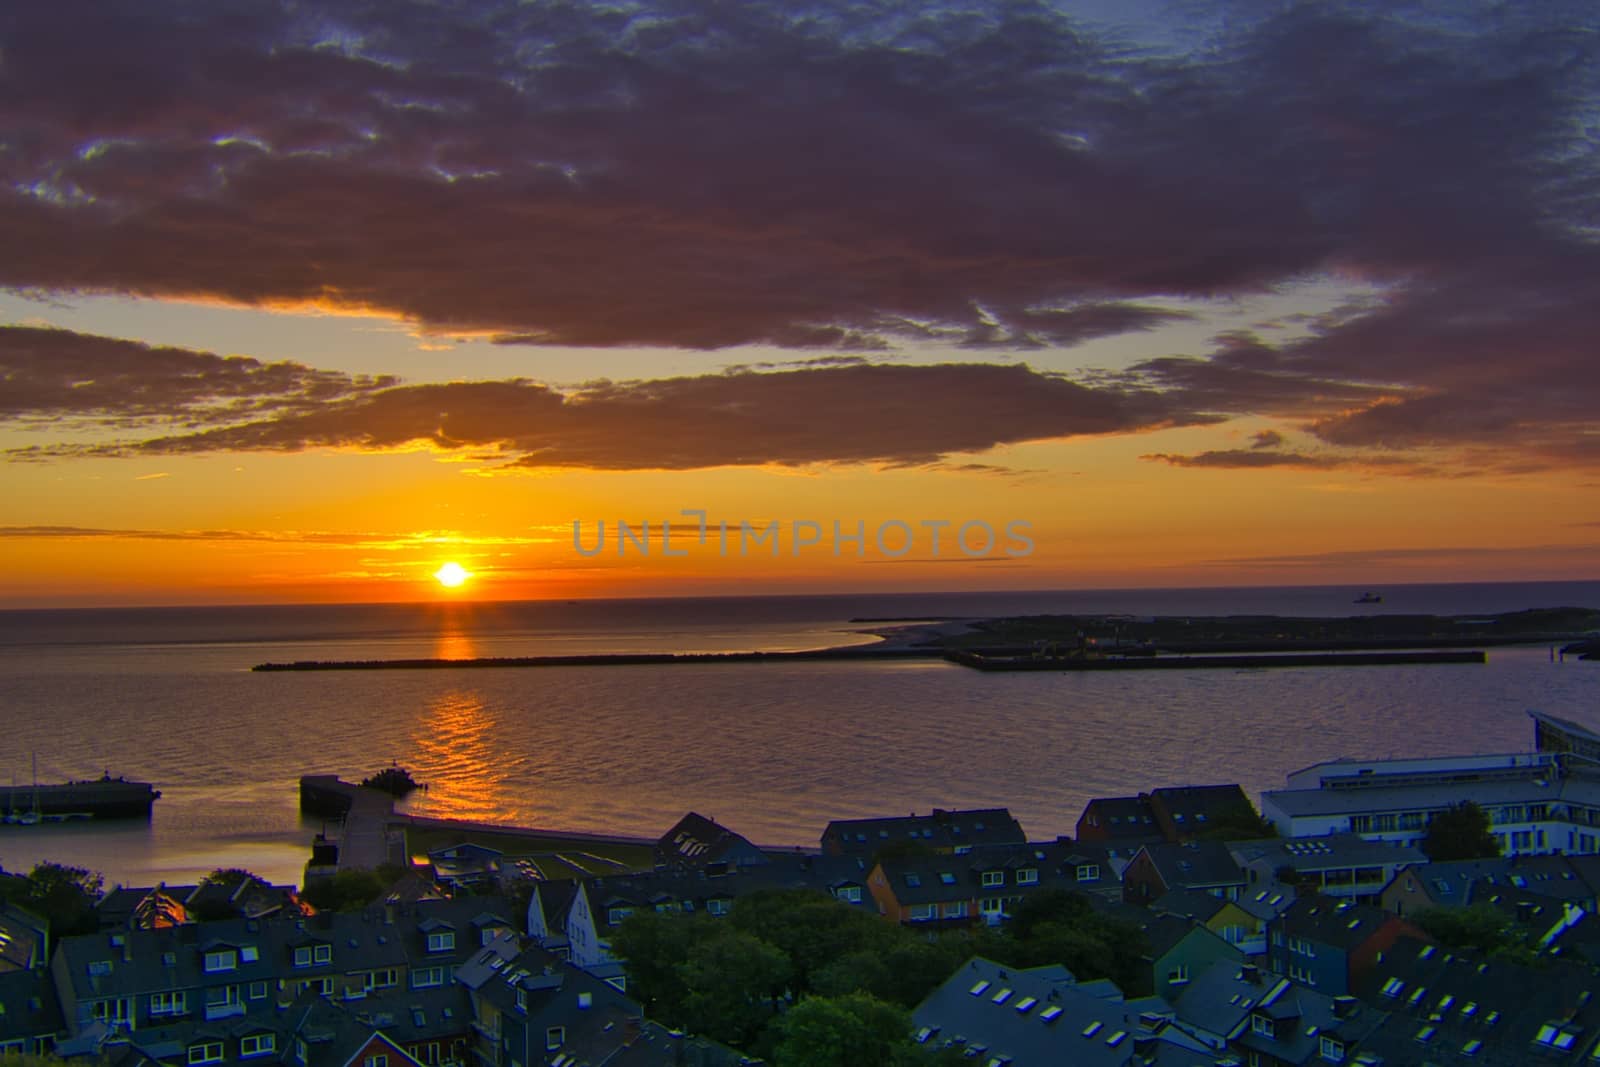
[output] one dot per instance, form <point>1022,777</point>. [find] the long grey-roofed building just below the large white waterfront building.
<point>1343,866</point>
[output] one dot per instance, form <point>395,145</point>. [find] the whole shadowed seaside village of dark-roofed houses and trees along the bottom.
<point>1386,913</point>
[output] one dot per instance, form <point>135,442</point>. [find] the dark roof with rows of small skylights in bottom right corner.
<point>1462,999</point>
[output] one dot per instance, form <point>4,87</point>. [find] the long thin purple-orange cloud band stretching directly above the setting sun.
<point>894,415</point>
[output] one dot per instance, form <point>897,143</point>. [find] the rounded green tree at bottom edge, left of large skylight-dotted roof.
<point>844,1033</point>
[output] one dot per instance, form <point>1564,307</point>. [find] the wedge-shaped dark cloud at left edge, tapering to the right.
<point>63,375</point>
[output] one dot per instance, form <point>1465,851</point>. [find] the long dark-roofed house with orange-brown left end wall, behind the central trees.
<point>985,884</point>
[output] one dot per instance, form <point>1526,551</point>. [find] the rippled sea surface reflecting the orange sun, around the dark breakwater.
<point>772,749</point>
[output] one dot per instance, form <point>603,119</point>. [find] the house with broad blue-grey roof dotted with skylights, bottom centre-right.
<point>1044,1018</point>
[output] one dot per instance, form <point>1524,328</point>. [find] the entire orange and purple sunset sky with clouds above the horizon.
<point>300,303</point>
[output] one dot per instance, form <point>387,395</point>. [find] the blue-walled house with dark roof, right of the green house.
<point>1330,945</point>
